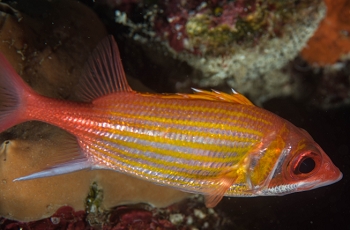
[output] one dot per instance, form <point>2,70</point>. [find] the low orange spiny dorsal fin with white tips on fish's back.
<point>214,96</point>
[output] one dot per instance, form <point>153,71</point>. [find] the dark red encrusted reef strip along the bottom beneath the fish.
<point>190,214</point>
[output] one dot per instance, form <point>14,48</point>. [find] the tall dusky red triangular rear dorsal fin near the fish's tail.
<point>103,73</point>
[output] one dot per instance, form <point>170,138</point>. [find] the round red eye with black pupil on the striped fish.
<point>305,164</point>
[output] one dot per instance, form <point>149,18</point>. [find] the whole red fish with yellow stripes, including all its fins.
<point>211,143</point>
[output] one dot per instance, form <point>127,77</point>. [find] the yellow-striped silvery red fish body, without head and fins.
<point>174,141</point>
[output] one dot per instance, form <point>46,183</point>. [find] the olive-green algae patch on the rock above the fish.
<point>208,34</point>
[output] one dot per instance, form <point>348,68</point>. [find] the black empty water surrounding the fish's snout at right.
<point>322,208</point>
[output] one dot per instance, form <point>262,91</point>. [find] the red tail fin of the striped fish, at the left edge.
<point>13,92</point>
